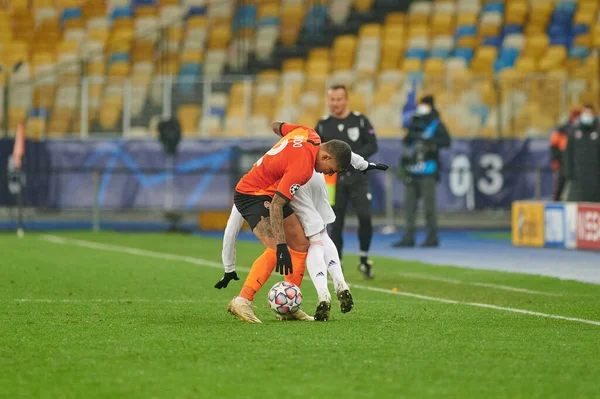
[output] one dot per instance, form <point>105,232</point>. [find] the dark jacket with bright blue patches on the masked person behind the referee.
<point>426,135</point>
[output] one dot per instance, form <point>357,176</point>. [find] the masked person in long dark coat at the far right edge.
<point>582,158</point>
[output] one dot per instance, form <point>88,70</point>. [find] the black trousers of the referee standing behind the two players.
<point>352,187</point>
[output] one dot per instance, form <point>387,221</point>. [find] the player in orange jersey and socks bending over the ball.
<point>262,196</point>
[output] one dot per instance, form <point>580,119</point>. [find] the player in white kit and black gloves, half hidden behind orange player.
<point>311,205</point>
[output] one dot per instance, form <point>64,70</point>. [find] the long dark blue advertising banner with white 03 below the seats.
<point>475,174</point>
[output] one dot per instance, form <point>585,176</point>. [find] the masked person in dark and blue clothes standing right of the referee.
<point>420,169</point>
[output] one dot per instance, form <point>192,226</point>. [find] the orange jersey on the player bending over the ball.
<point>286,166</point>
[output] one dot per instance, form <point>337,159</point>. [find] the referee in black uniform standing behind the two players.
<point>356,130</point>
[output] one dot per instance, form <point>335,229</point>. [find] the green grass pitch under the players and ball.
<point>138,317</point>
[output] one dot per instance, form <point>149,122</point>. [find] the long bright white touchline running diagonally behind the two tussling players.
<point>202,262</point>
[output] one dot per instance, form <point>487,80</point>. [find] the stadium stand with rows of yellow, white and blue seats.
<point>226,67</point>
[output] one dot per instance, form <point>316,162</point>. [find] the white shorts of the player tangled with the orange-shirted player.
<point>311,205</point>
